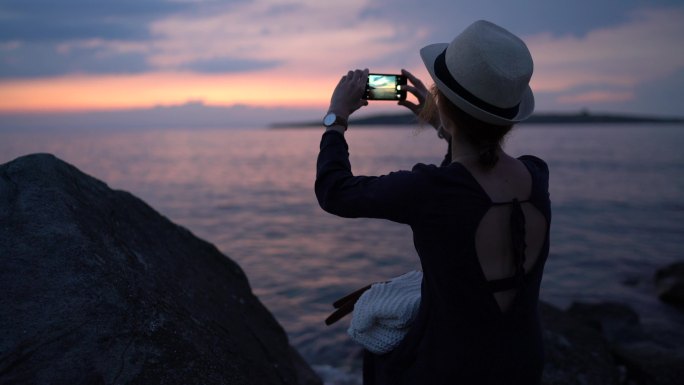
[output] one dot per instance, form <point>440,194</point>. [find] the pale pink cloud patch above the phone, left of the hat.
<point>330,36</point>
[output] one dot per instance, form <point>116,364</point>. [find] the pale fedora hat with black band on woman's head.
<point>485,71</point>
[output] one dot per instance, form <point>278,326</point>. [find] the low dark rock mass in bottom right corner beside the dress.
<point>606,343</point>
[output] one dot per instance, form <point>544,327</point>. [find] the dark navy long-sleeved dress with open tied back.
<point>460,335</point>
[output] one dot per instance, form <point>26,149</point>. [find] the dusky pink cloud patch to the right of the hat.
<point>647,47</point>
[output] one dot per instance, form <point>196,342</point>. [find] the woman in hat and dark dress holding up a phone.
<point>480,221</point>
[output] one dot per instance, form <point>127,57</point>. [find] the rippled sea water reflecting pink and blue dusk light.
<point>617,196</point>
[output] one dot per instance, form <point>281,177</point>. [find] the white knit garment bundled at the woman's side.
<point>384,313</point>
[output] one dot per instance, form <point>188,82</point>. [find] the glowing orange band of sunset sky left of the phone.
<point>87,92</point>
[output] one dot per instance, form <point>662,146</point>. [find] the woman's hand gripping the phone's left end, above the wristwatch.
<point>347,96</point>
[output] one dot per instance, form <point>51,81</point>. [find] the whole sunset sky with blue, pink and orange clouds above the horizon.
<point>270,56</point>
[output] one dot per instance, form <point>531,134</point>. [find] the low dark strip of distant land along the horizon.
<point>582,117</point>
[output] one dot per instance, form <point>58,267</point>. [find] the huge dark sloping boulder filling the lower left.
<point>98,288</point>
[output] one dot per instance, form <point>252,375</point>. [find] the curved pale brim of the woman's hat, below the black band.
<point>429,55</point>
